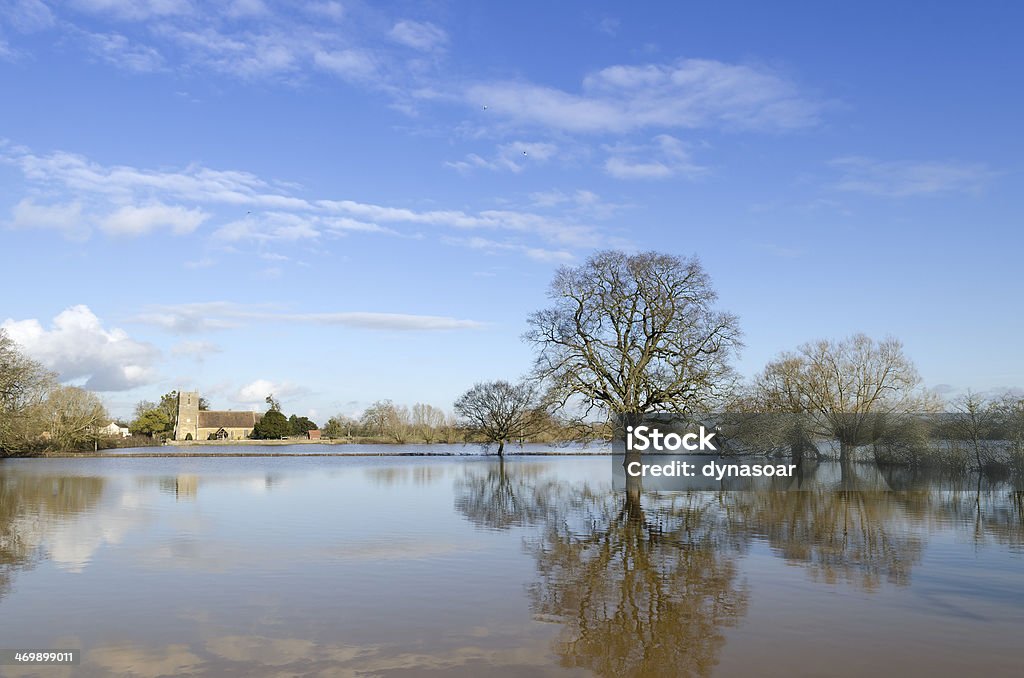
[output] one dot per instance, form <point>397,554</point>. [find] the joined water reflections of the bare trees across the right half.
<point>646,584</point>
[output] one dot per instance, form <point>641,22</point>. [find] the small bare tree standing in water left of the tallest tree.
<point>500,412</point>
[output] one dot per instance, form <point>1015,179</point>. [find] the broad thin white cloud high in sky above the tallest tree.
<point>687,95</point>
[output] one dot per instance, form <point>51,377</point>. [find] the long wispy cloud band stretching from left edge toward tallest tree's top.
<point>131,201</point>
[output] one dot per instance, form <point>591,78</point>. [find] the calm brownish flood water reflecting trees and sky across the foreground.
<point>410,567</point>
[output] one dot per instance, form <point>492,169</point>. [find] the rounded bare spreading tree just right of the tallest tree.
<point>847,388</point>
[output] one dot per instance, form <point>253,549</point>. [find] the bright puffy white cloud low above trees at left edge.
<point>78,348</point>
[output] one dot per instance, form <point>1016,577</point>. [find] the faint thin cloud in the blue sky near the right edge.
<point>906,179</point>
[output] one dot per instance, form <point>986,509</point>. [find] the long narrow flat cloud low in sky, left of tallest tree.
<point>204,317</point>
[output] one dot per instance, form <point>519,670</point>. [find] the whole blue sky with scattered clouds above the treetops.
<point>344,202</point>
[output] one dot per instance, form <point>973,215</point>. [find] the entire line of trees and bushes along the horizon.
<point>625,335</point>
